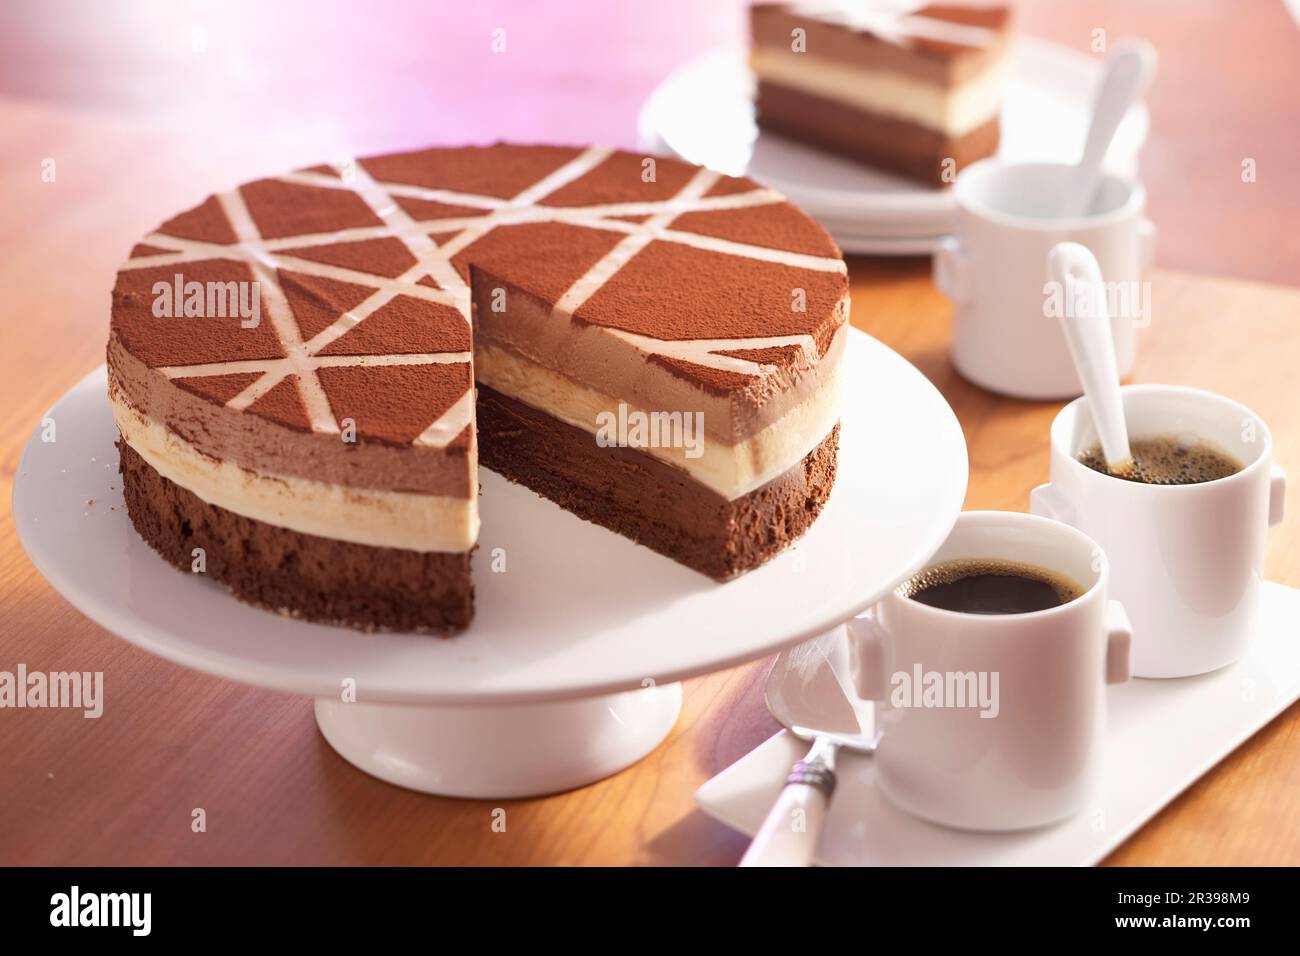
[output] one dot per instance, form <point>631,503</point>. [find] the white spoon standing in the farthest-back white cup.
<point>1128,75</point>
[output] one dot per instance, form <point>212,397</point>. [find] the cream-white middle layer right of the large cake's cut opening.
<point>730,470</point>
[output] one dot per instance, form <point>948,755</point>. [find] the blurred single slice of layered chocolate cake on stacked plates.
<point>898,86</point>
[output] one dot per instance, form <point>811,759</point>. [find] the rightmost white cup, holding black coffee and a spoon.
<point>1188,560</point>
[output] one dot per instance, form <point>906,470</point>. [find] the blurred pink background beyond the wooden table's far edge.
<point>241,89</point>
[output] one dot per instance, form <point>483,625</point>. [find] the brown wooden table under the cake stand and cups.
<point>123,789</point>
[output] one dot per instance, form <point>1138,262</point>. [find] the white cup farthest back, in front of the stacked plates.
<point>1006,335</point>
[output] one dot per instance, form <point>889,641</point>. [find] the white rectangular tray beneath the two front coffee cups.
<point>1162,736</point>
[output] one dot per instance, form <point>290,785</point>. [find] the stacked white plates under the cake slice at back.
<point>704,113</point>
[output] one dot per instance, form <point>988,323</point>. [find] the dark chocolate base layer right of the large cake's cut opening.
<point>648,501</point>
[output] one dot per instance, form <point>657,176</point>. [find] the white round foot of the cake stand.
<point>502,751</point>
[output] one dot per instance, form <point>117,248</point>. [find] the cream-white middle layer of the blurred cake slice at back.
<point>954,113</point>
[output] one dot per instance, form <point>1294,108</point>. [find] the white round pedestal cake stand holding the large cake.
<point>570,669</point>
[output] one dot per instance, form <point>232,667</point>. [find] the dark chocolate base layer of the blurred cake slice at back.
<point>881,141</point>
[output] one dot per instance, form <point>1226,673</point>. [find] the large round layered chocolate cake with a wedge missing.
<point>293,369</point>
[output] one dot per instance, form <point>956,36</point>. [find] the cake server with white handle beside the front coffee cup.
<point>807,694</point>
